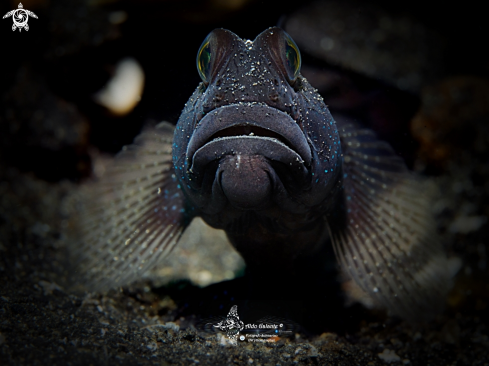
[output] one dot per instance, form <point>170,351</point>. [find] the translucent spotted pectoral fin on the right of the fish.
<point>386,239</point>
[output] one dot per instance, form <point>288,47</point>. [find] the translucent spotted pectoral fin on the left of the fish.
<point>133,215</point>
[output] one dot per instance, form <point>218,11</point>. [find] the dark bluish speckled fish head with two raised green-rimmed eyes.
<point>255,135</point>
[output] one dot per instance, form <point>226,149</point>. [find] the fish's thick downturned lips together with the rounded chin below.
<point>245,141</point>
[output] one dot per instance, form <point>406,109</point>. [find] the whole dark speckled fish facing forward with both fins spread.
<point>257,153</point>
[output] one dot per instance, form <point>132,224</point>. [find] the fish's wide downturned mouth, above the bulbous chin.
<point>248,129</point>
